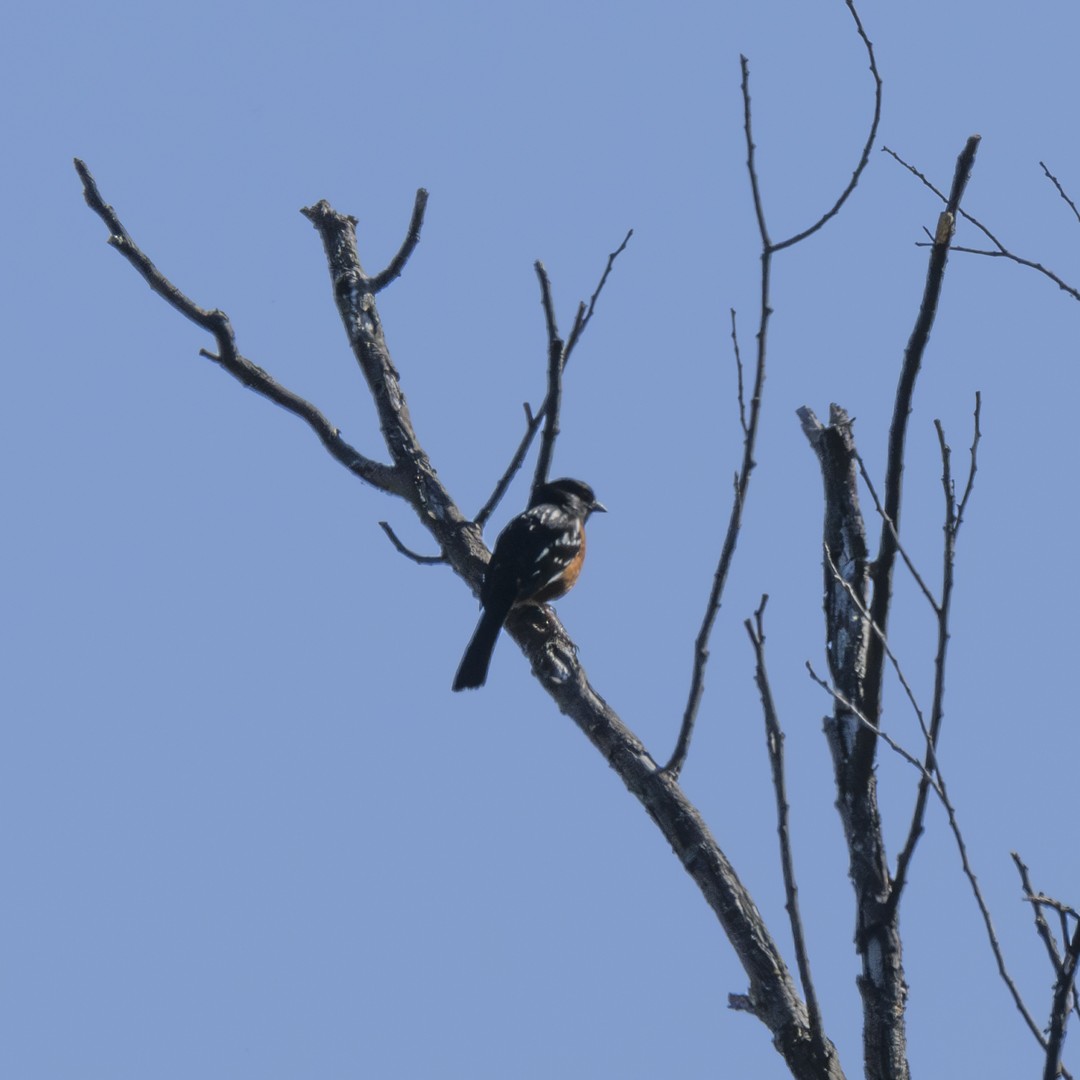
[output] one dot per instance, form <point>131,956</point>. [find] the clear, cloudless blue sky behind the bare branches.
<point>248,831</point>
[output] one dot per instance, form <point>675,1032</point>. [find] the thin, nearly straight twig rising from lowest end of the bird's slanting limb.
<point>775,742</point>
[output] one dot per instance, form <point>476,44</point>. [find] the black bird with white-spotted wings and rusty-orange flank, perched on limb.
<point>537,558</point>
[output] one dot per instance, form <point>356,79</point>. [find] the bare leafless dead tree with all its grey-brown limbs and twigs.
<point>859,591</point>
